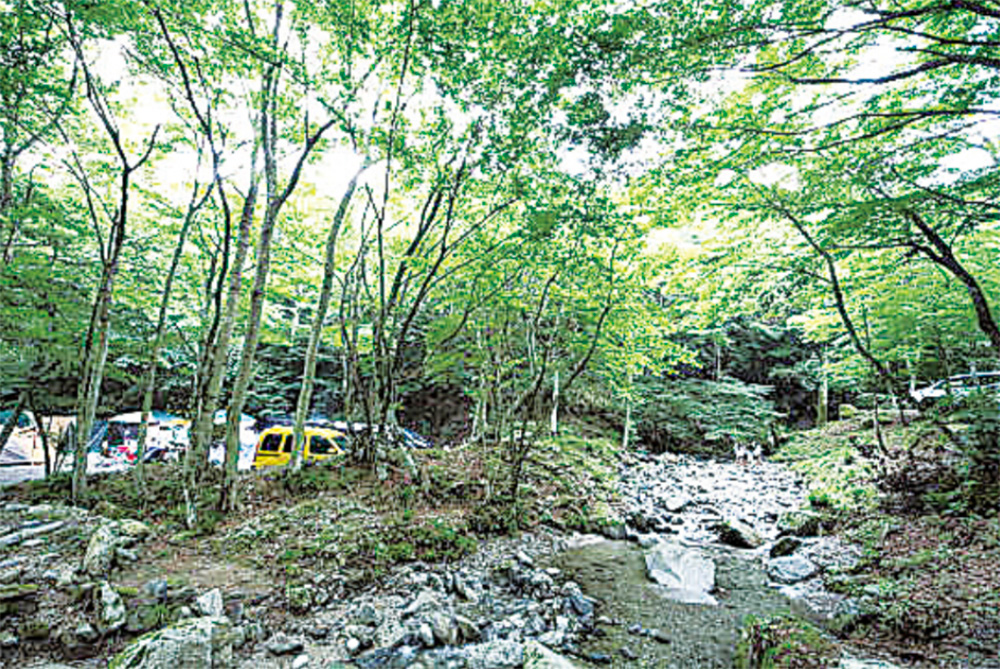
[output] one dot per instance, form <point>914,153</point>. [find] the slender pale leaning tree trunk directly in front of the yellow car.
<point>316,333</point>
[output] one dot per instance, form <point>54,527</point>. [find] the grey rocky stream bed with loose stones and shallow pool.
<point>667,579</point>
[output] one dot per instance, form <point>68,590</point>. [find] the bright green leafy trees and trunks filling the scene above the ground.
<point>465,217</point>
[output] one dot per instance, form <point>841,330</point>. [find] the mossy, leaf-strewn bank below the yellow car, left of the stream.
<point>298,540</point>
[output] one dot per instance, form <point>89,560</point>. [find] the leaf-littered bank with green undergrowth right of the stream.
<point>928,582</point>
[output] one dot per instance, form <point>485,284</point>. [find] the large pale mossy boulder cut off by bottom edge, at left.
<point>195,643</point>
